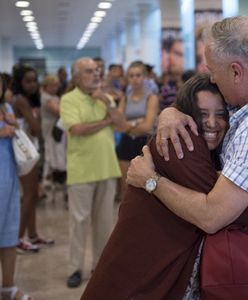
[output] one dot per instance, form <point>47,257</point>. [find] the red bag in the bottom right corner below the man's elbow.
<point>224,265</point>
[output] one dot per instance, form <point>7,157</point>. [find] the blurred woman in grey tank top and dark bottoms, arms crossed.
<point>140,108</point>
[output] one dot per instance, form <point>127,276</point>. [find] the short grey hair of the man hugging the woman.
<point>229,37</point>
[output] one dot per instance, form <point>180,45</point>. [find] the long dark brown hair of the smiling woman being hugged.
<point>186,102</point>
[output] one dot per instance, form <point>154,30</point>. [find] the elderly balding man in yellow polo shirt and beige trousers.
<point>92,164</point>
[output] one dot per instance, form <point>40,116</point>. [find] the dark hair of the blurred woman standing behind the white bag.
<point>19,72</point>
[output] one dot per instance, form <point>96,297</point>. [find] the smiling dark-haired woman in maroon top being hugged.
<point>152,253</point>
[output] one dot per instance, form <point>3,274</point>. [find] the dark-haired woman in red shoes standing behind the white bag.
<point>26,107</point>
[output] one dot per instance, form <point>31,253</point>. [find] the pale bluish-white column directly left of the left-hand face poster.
<point>150,33</point>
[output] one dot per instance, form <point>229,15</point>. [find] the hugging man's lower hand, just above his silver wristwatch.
<point>140,169</point>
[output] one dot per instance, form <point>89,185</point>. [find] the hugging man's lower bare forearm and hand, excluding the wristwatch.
<point>211,212</point>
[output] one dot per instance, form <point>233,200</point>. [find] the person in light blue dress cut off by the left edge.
<point>10,202</point>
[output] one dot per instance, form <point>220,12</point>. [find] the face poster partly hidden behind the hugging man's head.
<point>203,19</point>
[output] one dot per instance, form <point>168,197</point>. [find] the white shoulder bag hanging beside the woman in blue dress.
<point>26,155</point>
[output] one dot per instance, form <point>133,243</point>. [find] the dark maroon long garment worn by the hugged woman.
<point>151,252</point>
